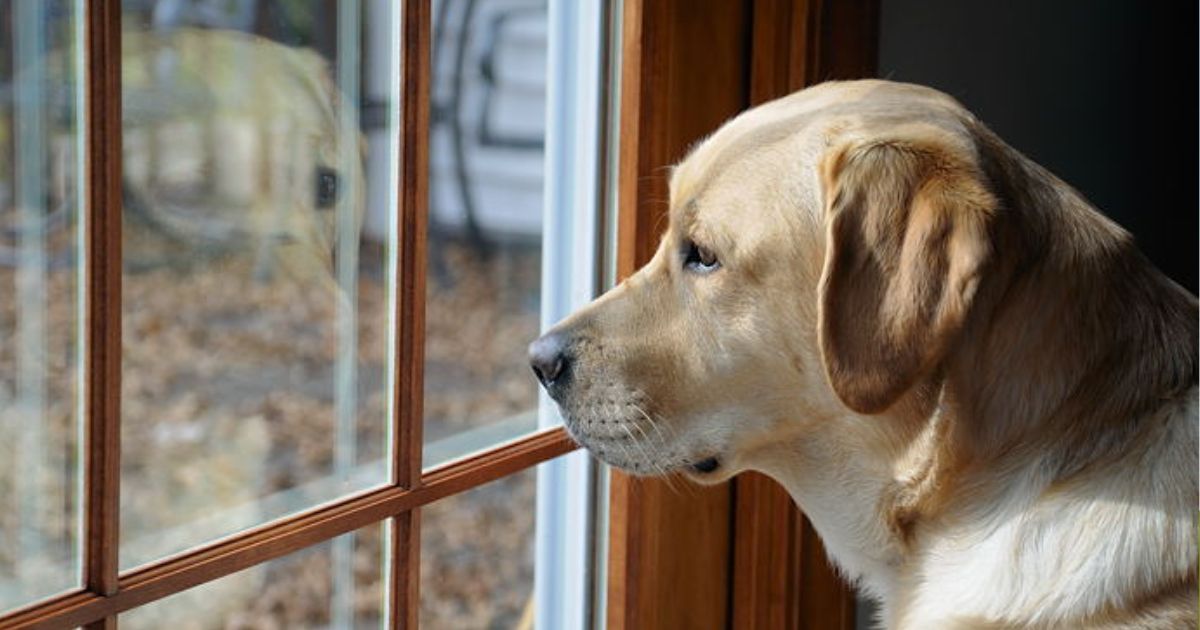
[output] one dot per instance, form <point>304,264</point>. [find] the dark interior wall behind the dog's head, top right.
<point>1103,93</point>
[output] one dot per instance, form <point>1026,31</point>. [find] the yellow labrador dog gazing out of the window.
<point>974,385</point>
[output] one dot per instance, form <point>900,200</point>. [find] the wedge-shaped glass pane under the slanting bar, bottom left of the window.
<point>334,585</point>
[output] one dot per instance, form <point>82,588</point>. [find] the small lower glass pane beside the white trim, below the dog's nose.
<point>478,555</point>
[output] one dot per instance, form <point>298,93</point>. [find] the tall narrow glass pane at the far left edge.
<point>41,188</point>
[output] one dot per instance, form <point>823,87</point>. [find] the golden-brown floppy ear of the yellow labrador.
<point>907,245</point>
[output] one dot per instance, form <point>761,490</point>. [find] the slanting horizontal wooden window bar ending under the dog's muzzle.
<point>256,547</point>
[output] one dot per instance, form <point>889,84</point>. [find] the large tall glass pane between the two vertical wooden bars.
<point>260,178</point>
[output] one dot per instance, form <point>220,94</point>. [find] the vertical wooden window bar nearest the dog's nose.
<point>409,418</point>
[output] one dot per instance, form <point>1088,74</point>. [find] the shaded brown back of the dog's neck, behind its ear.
<point>1077,339</point>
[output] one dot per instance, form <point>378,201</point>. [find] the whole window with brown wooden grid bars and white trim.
<point>273,266</point>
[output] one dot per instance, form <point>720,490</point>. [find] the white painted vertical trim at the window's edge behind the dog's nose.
<point>571,255</point>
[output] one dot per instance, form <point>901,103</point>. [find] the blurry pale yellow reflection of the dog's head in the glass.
<point>232,145</point>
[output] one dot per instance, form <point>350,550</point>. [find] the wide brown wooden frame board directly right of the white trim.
<point>683,74</point>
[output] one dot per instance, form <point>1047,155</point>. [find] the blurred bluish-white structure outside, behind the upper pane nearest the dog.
<point>491,58</point>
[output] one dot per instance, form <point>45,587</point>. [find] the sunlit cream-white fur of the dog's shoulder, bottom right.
<point>1109,548</point>
